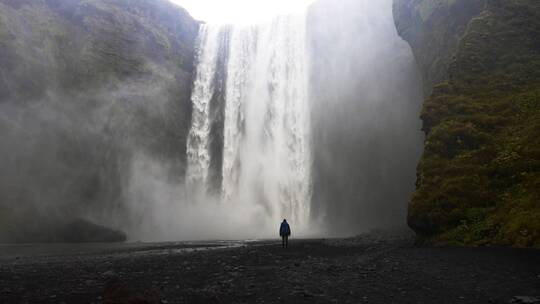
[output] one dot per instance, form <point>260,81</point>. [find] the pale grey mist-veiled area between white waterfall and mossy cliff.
<point>366,99</point>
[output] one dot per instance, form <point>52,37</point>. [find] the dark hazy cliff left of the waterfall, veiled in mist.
<point>86,87</point>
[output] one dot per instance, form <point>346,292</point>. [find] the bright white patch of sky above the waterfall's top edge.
<point>240,11</point>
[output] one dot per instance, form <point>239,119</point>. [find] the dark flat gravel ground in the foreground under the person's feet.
<point>368,269</point>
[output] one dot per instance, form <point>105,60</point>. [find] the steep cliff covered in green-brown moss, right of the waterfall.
<point>479,178</point>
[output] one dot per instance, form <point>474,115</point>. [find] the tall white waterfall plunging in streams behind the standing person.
<point>266,126</point>
